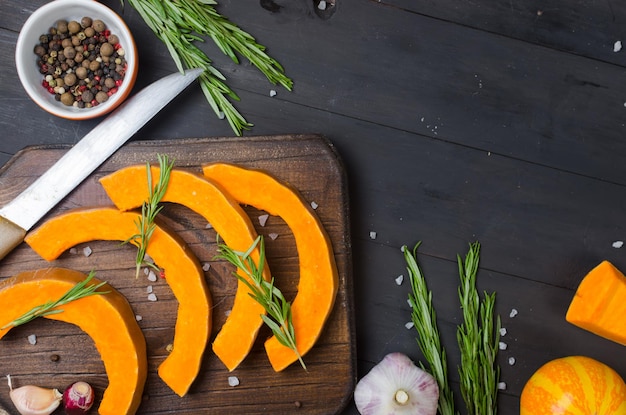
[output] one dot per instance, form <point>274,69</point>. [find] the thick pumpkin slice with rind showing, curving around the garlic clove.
<point>107,318</point>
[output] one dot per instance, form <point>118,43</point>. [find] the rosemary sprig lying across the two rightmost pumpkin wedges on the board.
<point>278,309</point>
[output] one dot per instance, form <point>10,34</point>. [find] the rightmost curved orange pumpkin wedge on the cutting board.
<point>317,287</point>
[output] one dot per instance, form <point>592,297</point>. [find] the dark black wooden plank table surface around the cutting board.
<point>457,121</point>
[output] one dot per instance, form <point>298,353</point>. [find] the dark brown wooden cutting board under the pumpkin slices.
<point>64,354</point>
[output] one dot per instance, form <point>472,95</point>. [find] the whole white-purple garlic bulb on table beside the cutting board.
<point>397,387</point>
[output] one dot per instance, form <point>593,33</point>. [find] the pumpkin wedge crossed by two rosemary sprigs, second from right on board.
<point>128,188</point>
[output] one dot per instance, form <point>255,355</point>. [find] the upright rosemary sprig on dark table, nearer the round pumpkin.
<point>478,337</point>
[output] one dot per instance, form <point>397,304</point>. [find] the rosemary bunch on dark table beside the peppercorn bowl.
<point>180,23</point>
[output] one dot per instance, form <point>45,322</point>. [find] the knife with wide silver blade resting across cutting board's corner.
<point>23,212</point>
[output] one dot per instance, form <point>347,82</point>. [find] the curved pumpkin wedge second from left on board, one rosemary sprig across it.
<point>184,276</point>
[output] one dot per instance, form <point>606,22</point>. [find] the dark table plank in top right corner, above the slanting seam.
<point>585,28</point>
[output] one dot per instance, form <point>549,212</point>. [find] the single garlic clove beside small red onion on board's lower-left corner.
<point>33,400</point>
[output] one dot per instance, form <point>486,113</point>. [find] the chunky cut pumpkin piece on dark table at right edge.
<point>599,305</point>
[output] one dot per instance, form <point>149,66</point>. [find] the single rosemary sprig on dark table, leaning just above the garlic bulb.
<point>424,320</point>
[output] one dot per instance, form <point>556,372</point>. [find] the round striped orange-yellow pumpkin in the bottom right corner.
<point>574,385</point>
